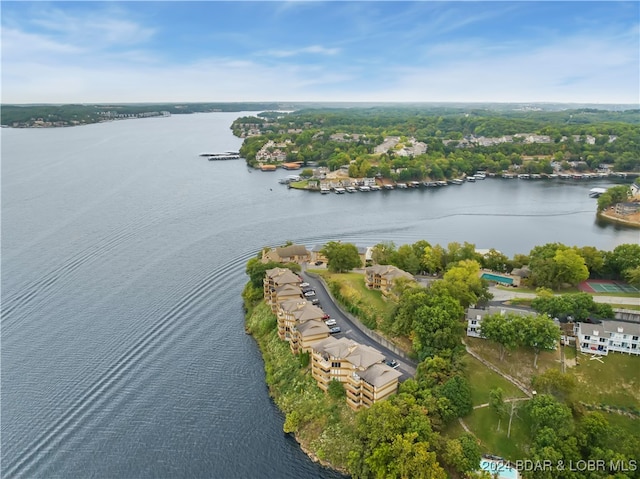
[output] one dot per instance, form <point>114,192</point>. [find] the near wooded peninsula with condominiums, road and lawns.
<point>444,387</point>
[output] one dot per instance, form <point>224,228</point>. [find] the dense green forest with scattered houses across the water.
<point>458,141</point>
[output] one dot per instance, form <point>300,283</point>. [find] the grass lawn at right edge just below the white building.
<point>613,380</point>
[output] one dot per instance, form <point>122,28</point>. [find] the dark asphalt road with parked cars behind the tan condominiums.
<point>350,330</point>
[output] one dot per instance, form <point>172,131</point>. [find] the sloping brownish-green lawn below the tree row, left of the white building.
<point>518,363</point>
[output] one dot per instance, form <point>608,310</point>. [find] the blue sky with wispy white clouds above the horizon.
<point>468,51</point>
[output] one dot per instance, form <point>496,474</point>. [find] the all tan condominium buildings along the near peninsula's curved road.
<point>361,369</point>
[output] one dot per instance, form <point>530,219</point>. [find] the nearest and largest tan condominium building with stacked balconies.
<point>359,368</point>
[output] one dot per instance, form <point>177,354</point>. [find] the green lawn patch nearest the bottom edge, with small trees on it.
<point>483,423</point>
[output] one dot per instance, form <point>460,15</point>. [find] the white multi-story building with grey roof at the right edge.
<point>601,338</point>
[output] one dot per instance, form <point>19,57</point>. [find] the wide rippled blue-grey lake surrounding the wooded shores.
<point>123,253</point>
